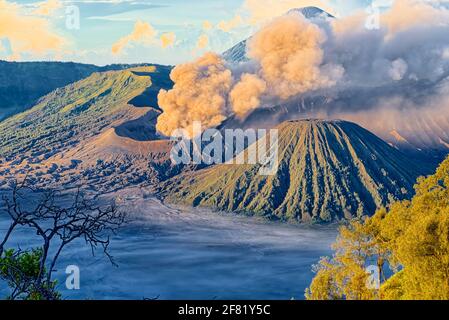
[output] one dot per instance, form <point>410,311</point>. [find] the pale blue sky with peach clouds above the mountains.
<point>134,31</point>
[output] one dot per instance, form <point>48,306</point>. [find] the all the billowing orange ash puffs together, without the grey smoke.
<point>286,61</point>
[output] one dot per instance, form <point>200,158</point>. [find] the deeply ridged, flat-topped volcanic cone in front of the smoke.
<point>328,170</point>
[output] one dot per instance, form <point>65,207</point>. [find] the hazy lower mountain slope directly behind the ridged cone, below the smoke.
<point>420,133</point>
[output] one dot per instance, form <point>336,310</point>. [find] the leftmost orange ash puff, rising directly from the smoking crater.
<point>200,94</point>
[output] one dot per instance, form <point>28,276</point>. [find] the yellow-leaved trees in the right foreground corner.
<point>411,238</point>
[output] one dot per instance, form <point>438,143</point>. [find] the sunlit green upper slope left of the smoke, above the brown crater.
<point>71,114</point>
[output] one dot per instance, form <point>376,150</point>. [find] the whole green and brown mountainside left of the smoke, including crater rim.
<point>97,129</point>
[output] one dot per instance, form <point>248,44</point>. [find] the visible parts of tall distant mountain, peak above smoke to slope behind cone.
<point>423,133</point>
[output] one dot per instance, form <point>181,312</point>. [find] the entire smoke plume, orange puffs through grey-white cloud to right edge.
<point>400,69</point>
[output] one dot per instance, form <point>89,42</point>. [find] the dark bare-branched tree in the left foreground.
<point>58,220</point>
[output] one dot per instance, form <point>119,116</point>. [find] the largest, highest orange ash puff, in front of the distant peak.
<point>290,56</point>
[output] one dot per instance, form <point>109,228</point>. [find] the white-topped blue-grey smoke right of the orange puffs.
<point>409,44</point>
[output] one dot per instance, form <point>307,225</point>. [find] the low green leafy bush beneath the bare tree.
<point>21,271</point>
